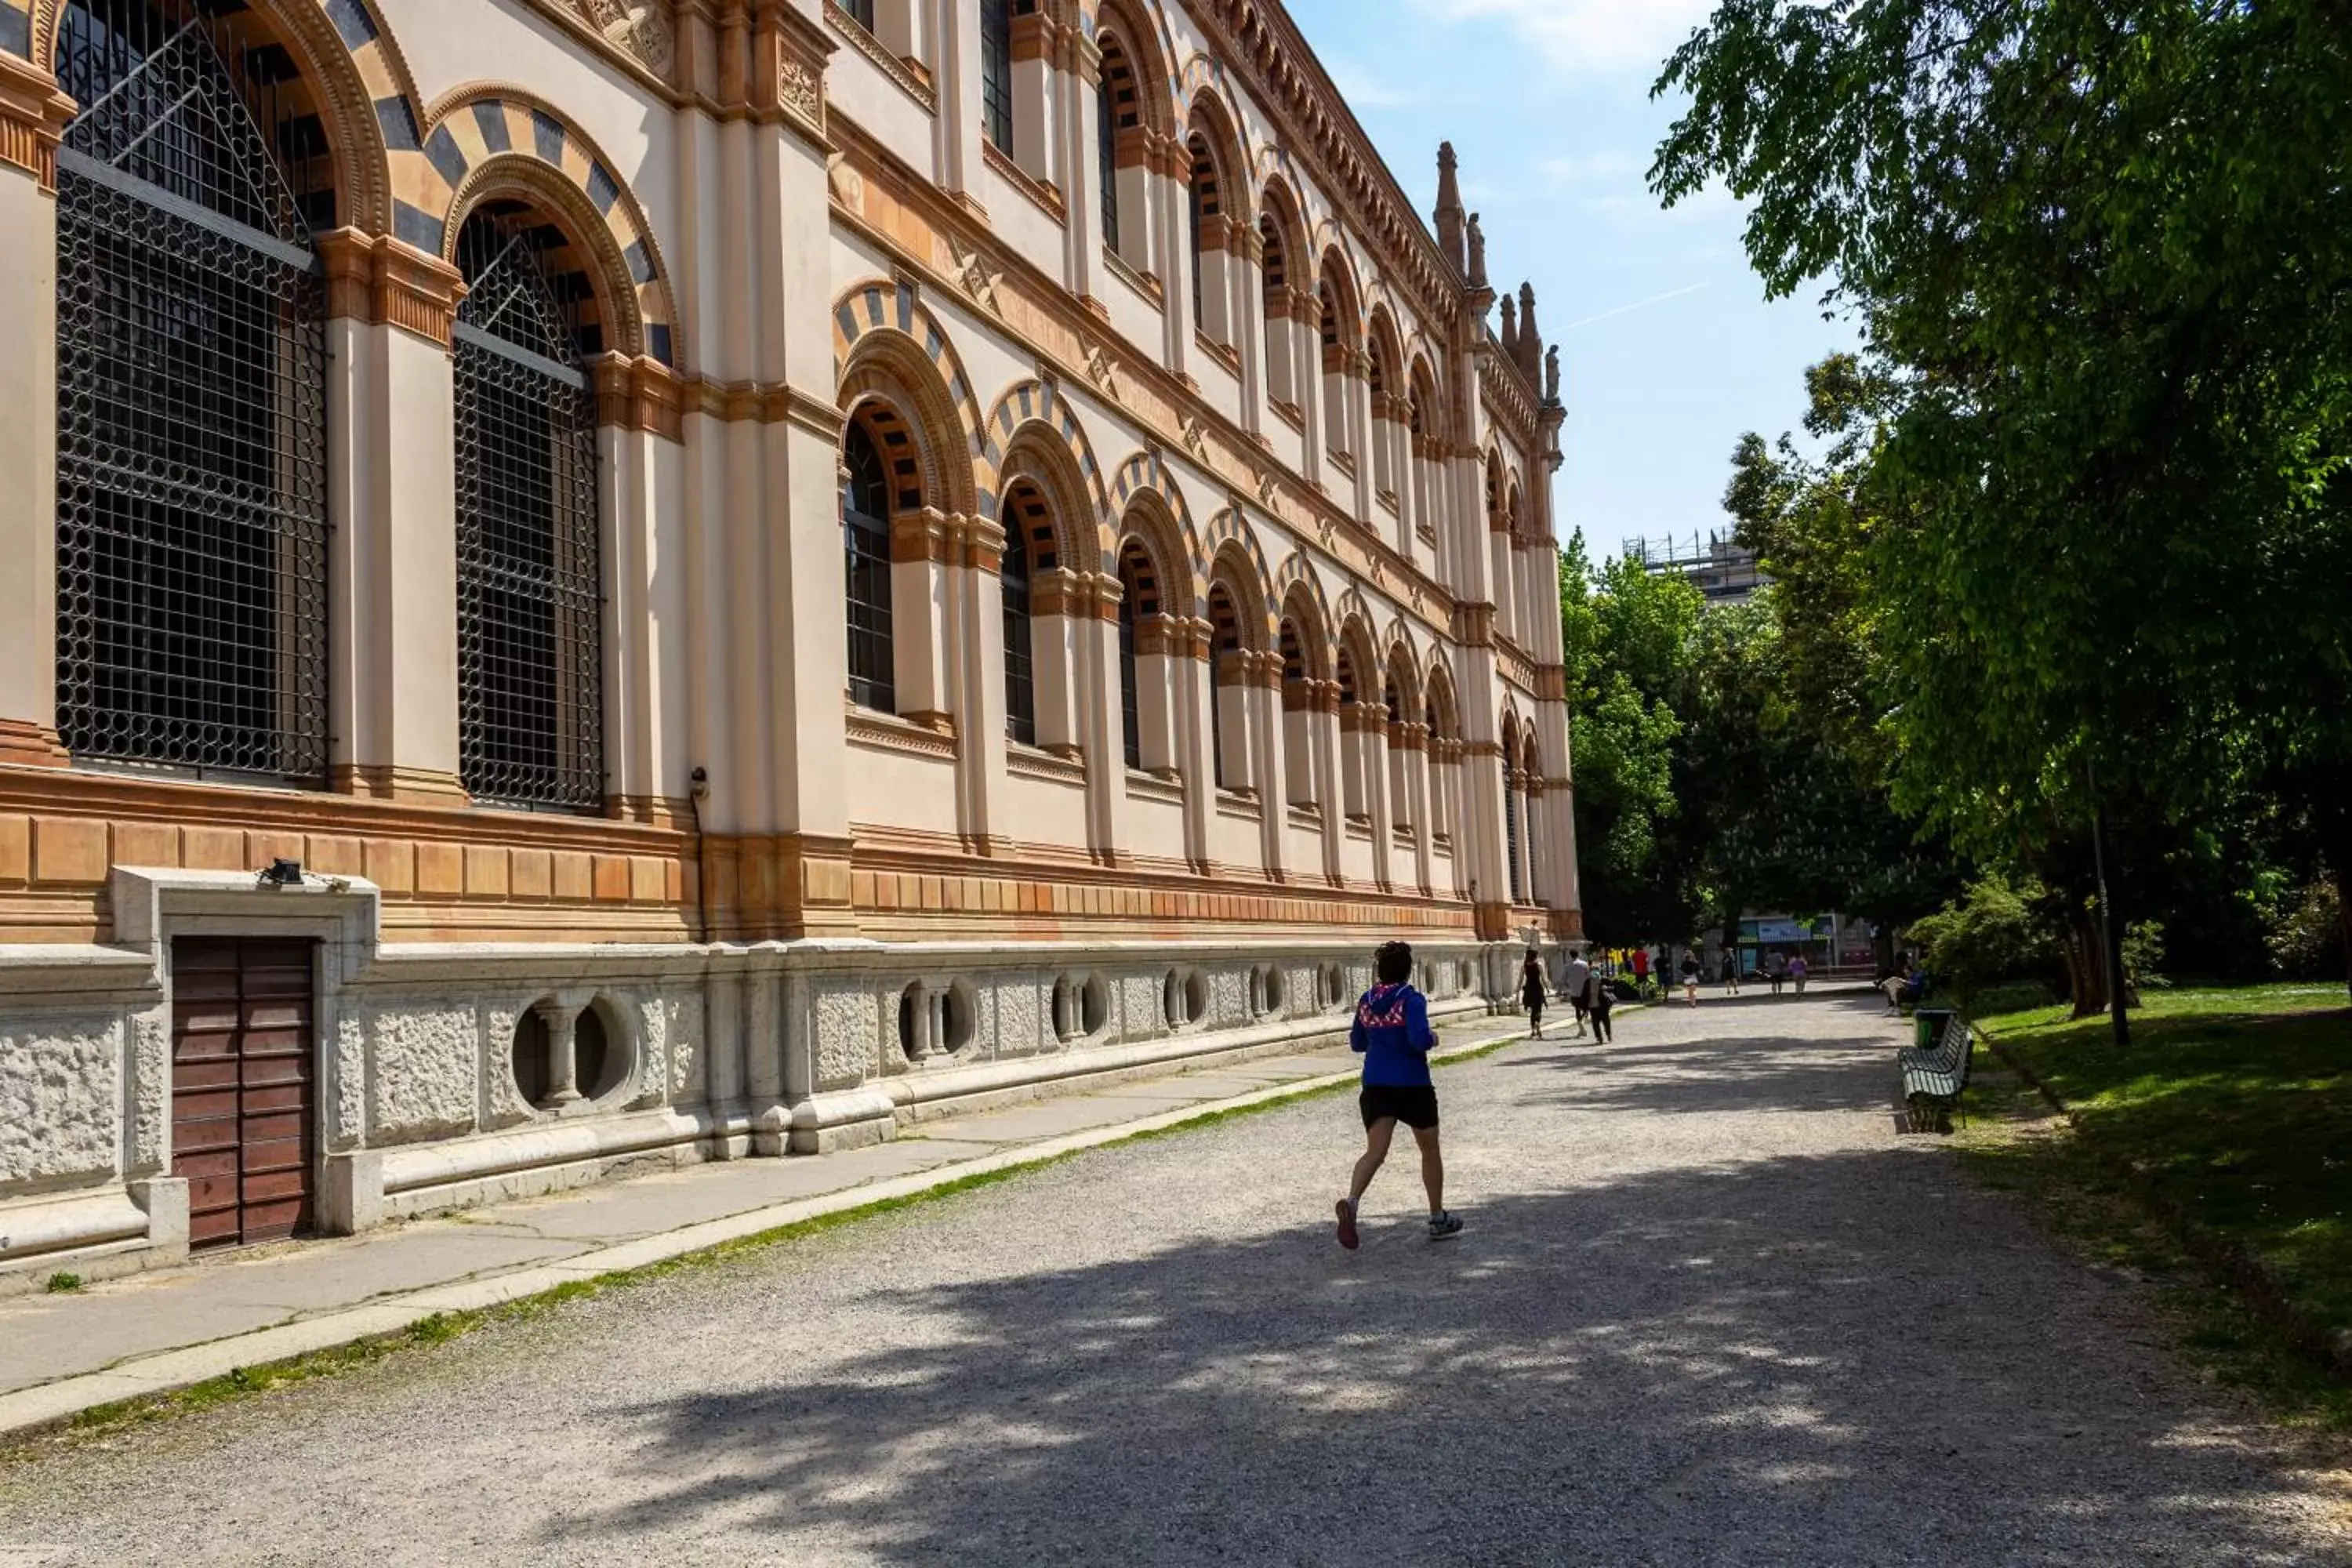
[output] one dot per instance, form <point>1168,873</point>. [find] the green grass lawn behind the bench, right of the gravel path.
<point>2231,1104</point>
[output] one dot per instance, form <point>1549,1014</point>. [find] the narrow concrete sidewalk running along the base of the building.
<point>168,1329</point>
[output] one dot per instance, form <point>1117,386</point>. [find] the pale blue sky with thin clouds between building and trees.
<point>1666,342</point>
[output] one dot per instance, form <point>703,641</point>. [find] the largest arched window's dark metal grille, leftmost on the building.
<point>192,434</point>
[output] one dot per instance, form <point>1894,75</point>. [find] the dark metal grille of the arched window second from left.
<point>530,587</point>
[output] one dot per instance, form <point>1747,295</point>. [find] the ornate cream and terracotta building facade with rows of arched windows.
<point>662,579</point>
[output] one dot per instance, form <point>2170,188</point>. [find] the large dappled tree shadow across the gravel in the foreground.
<point>1810,1360</point>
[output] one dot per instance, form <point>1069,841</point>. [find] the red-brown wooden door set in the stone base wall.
<point>243,1061</point>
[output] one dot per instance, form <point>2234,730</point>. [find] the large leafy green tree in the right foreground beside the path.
<point>2102,257</point>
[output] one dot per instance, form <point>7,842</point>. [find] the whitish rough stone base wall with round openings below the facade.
<point>709,1052</point>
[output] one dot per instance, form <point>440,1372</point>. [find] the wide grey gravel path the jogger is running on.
<point>1709,1311</point>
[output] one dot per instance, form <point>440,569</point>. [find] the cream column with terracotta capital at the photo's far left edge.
<point>34,119</point>
